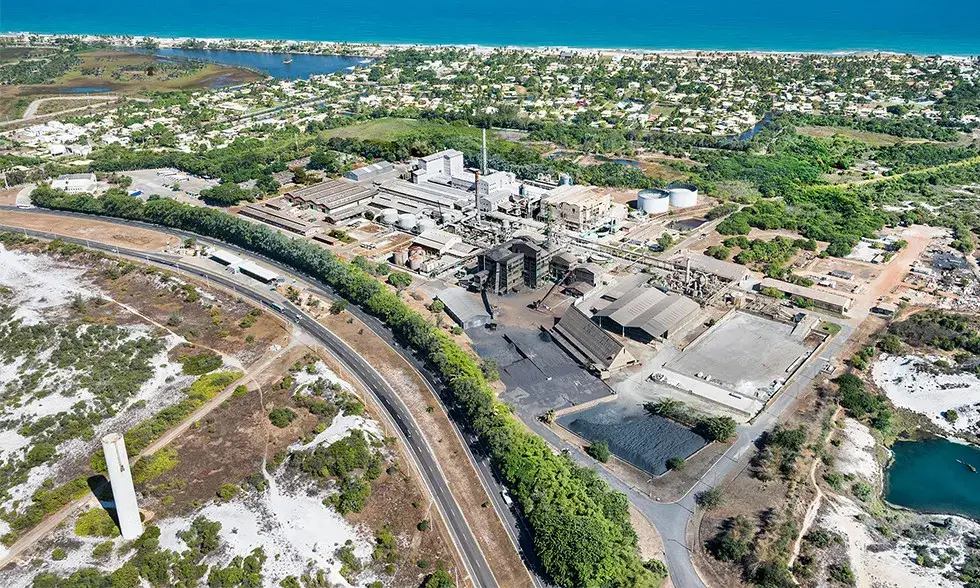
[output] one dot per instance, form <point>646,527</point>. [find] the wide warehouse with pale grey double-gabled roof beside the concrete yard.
<point>645,314</point>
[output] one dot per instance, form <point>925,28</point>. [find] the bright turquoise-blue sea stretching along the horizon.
<point>915,26</point>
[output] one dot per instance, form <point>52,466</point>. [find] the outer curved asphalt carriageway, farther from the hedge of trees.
<point>473,558</point>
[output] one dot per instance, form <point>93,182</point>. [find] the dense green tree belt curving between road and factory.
<point>581,528</point>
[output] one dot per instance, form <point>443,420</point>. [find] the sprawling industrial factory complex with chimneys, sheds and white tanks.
<point>585,265</point>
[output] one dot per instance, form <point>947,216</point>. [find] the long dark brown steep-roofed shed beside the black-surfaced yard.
<point>588,344</point>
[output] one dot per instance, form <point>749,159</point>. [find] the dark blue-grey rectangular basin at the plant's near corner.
<point>644,440</point>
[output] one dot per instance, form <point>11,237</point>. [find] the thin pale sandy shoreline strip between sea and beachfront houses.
<point>377,49</point>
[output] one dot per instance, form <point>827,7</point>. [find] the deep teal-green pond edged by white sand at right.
<point>926,476</point>
